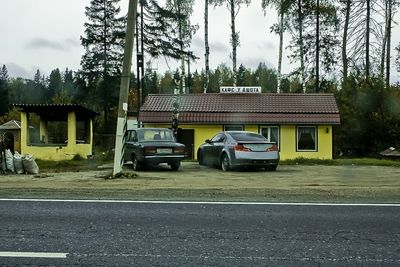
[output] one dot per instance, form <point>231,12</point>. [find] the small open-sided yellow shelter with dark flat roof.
<point>56,131</point>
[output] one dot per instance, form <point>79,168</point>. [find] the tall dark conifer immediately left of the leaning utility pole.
<point>102,62</point>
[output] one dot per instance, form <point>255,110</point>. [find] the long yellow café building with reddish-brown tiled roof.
<point>301,124</point>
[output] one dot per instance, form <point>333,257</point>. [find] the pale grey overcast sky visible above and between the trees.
<point>44,35</point>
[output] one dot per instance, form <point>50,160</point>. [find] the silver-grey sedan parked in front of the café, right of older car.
<point>231,149</point>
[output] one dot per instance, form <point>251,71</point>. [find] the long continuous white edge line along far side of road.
<point>206,202</point>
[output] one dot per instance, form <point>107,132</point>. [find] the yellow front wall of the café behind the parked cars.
<point>287,139</point>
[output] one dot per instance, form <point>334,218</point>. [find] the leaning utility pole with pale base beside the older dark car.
<point>124,87</point>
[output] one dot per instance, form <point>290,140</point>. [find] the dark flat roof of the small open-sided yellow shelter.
<point>57,111</point>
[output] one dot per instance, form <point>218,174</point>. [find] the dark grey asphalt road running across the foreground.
<point>183,234</point>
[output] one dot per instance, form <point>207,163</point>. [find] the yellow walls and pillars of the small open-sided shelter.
<point>54,151</point>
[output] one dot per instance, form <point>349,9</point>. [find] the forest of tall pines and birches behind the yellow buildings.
<point>342,47</point>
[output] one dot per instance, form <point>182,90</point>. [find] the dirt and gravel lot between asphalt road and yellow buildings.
<point>191,181</point>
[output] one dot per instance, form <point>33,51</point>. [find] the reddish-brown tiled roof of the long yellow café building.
<point>242,108</point>
